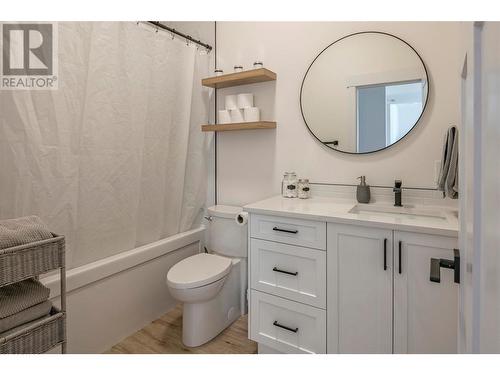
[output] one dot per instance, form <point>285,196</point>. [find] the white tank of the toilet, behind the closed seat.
<point>226,237</point>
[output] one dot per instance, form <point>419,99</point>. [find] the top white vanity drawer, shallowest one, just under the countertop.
<point>299,232</point>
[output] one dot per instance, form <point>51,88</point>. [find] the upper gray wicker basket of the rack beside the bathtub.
<point>23,262</point>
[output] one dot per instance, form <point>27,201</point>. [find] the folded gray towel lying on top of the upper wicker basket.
<point>15,232</point>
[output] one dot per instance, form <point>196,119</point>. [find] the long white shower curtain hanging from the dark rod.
<point>114,158</point>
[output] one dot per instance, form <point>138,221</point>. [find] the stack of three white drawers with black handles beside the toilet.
<point>288,282</point>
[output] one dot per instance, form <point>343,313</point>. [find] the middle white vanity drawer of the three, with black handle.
<point>293,272</point>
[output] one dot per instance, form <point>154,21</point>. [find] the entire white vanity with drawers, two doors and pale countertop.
<point>341,283</point>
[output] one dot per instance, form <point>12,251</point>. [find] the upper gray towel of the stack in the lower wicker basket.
<point>20,296</point>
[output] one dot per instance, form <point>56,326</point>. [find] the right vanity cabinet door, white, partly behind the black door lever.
<point>425,312</point>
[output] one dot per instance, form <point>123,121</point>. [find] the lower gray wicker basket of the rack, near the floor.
<point>36,337</point>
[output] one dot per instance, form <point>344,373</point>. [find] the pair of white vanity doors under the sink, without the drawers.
<point>379,295</point>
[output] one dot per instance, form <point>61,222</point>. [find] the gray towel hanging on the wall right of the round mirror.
<point>448,175</point>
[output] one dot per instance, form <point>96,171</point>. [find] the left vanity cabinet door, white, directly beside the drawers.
<point>359,289</point>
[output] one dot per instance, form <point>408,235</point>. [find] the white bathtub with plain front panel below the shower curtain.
<point>111,298</point>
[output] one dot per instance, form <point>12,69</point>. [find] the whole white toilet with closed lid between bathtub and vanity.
<point>212,286</point>
